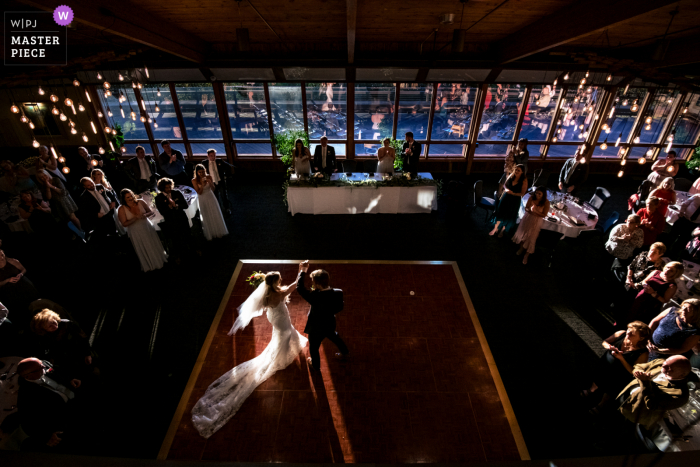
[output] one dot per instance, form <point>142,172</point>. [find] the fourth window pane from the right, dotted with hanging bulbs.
<point>577,113</point>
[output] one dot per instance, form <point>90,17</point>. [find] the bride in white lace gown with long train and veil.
<point>226,395</point>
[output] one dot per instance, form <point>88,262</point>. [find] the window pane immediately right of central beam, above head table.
<point>374,110</point>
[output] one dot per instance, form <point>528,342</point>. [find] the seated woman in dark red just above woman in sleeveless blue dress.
<point>658,288</point>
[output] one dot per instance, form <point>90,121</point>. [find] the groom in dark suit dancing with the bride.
<point>325,303</point>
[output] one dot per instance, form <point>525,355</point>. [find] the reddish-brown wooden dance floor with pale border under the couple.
<point>419,385</point>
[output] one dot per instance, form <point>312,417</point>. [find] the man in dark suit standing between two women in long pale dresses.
<point>172,205</point>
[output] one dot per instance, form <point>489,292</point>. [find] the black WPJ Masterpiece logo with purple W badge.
<point>37,37</point>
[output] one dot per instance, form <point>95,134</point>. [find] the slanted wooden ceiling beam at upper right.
<point>570,23</point>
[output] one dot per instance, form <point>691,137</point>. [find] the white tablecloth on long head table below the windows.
<point>362,200</point>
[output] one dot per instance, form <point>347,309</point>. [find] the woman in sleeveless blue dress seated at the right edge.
<point>676,330</point>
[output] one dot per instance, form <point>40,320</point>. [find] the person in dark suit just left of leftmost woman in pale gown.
<point>96,208</point>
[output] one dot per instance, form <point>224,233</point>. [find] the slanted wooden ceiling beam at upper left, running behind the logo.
<point>129,21</point>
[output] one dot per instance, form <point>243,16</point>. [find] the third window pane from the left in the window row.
<point>199,112</point>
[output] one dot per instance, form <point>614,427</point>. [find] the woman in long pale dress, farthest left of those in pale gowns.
<point>133,215</point>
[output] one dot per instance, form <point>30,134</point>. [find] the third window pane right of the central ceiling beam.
<point>454,105</point>
